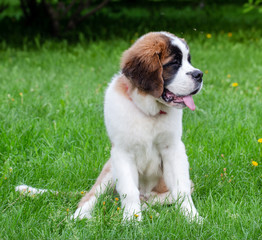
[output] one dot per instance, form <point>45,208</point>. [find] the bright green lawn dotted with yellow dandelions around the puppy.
<point>52,135</point>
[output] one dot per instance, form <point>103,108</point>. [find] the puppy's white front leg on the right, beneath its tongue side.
<point>176,176</point>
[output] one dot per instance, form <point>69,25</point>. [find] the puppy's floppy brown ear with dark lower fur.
<point>141,64</point>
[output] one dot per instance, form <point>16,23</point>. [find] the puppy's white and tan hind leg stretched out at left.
<point>88,202</point>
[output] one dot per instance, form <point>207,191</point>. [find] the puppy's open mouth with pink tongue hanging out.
<point>171,98</point>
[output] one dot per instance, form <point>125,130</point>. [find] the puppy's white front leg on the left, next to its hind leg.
<point>125,175</point>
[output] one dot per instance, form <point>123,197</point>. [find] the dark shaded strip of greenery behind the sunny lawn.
<point>120,19</point>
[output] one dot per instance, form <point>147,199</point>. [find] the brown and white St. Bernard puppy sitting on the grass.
<point>143,116</point>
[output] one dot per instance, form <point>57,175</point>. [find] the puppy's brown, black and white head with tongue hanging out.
<point>159,64</point>
